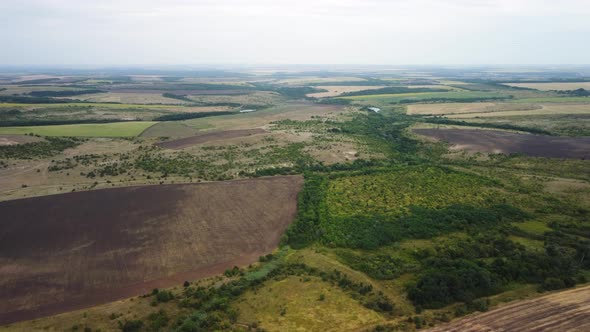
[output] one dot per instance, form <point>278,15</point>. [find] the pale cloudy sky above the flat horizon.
<point>403,32</point>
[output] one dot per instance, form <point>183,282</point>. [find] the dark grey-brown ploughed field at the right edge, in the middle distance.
<point>495,141</point>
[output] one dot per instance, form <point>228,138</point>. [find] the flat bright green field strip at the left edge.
<point>115,129</point>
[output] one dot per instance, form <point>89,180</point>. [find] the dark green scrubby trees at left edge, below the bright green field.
<point>51,146</point>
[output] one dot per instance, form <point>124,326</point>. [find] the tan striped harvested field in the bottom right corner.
<point>559,312</point>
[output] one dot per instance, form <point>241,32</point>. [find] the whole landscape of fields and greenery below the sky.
<point>177,212</point>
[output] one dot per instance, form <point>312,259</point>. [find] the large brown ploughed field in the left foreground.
<point>71,251</point>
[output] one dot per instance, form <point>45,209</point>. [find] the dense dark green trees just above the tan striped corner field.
<point>482,265</point>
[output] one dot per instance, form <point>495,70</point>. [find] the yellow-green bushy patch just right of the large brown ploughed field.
<point>396,191</point>
